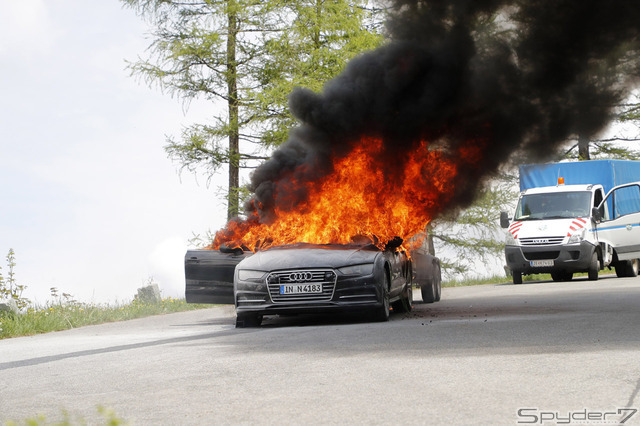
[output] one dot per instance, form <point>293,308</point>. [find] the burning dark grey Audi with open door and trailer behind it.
<point>311,278</point>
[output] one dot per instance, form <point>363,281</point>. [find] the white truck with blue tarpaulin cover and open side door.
<point>575,217</point>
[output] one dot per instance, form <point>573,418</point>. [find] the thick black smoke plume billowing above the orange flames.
<point>520,76</point>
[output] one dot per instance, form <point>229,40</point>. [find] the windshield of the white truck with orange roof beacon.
<point>557,205</point>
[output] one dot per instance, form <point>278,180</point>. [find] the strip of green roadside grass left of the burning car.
<point>63,316</point>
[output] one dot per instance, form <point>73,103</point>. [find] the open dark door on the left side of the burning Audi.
<point>209,275</point>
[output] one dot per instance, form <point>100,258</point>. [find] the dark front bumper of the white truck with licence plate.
<point>566,257</point>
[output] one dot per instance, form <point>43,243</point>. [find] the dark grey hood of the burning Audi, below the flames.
<point>309,256</point>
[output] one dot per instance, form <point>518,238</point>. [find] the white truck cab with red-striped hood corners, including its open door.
<point>565,229</point>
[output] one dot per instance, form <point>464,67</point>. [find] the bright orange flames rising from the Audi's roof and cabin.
<point>363,196</point>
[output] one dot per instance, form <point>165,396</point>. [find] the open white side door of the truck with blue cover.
<point>620,222</point>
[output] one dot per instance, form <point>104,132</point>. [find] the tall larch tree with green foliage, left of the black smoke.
<point>248,54</point>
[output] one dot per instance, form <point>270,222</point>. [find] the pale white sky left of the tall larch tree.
<point>89,201</point>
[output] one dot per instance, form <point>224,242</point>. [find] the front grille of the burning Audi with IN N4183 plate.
<point>326,277</point>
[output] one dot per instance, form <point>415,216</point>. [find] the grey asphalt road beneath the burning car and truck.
<point>541,353</point>
